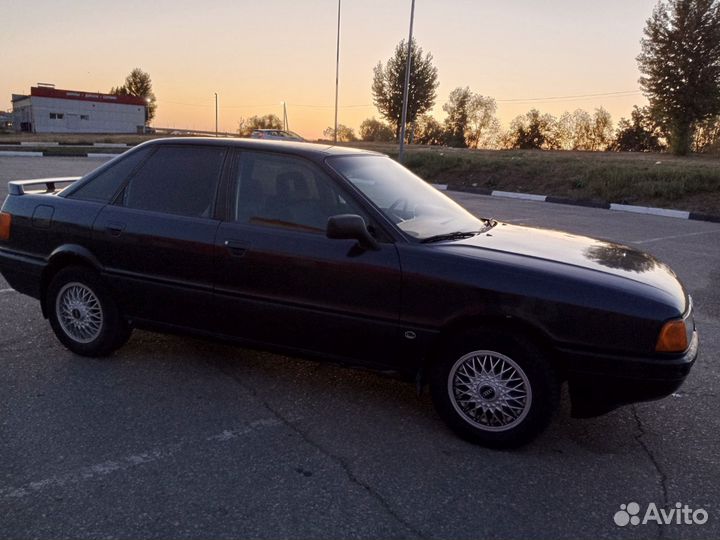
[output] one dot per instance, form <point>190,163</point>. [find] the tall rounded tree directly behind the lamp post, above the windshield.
<point>389,80</point>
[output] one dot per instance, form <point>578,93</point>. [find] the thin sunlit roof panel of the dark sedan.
<point>298,148</point>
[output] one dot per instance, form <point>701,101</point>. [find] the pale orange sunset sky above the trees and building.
<point>257,54</point>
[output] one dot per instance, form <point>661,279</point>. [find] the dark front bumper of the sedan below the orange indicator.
<point>599,384</point>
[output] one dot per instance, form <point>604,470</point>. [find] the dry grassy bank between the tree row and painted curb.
<point>686,183</point>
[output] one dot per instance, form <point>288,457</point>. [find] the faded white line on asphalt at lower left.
<point>105,468</point>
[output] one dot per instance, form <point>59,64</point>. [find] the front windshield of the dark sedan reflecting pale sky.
<point>416,207</point>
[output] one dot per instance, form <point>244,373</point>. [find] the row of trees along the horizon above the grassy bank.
<point>680,67</point>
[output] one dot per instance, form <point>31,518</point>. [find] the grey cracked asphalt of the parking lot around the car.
<point>180,438</point>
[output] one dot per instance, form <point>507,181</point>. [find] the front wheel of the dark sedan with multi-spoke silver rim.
<point>494,389</point>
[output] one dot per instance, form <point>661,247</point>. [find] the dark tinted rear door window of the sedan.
<point>178,180</point>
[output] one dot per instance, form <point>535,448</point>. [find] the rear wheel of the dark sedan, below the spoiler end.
<point>83,314</point>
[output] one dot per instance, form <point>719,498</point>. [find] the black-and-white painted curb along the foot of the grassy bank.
<point>664,212</point>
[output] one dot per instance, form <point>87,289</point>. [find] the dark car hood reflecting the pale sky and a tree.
<point>578,251</point>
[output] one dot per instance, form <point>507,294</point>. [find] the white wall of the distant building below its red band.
<point>56,115</point>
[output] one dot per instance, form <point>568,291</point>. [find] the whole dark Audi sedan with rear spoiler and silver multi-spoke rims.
<point>344,255</point>
